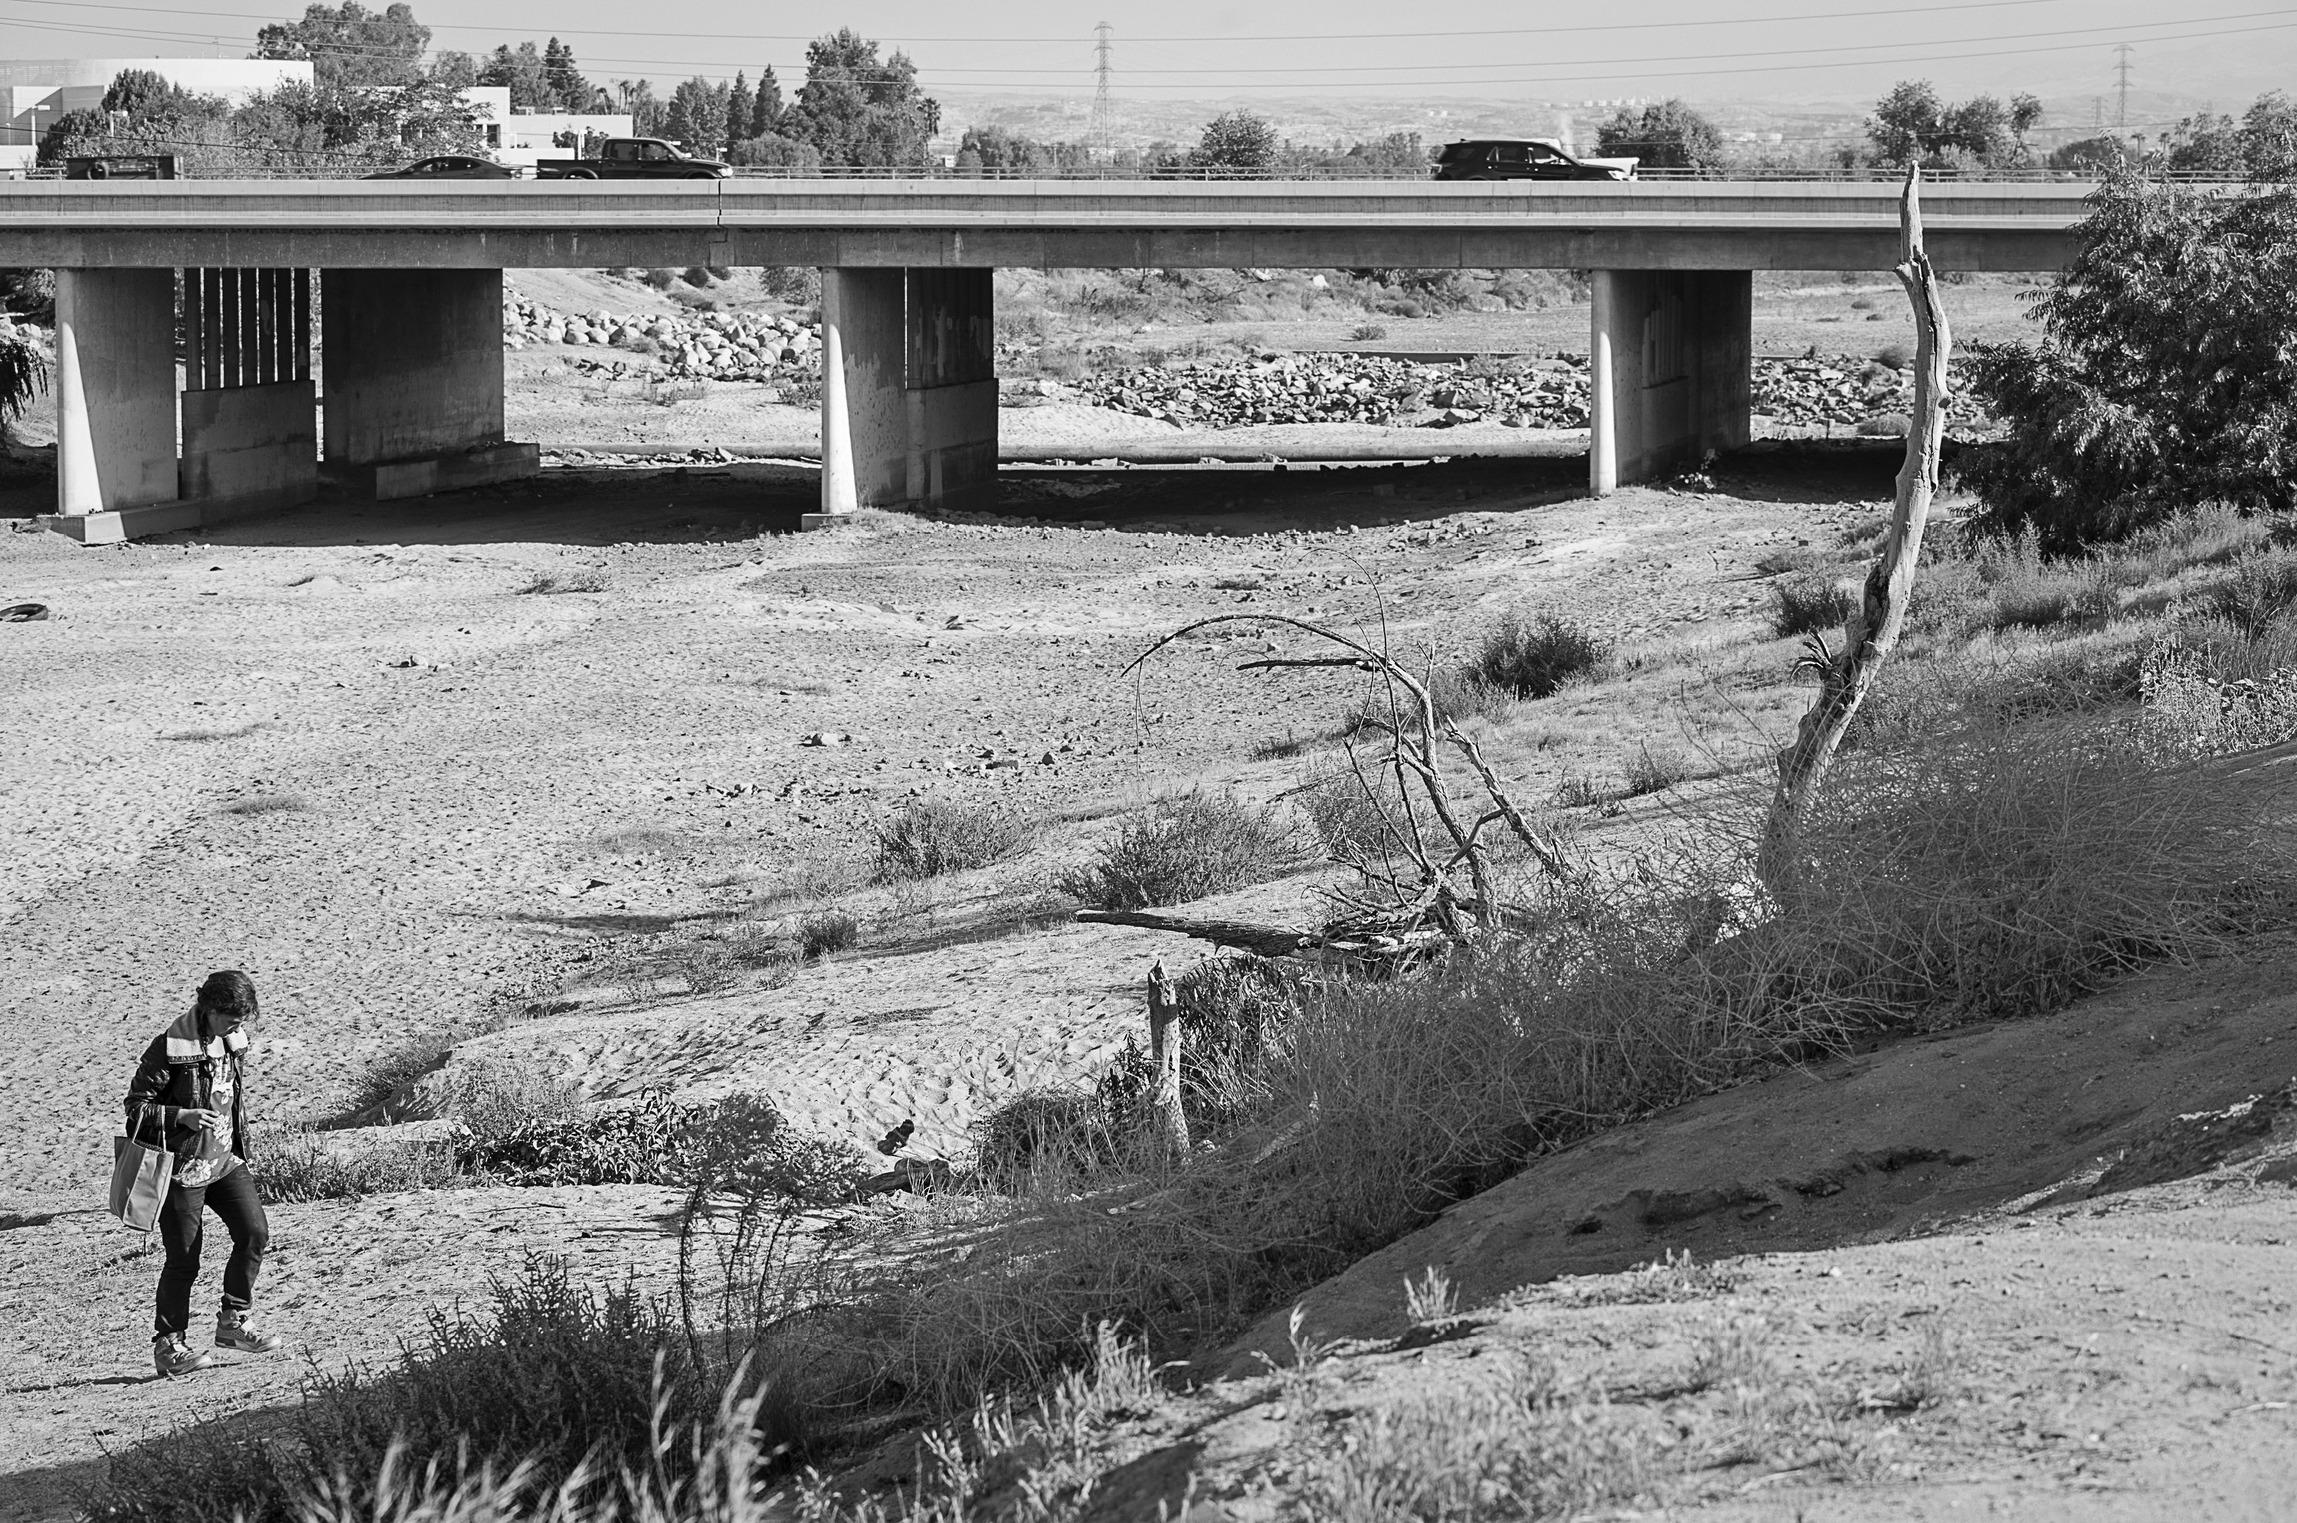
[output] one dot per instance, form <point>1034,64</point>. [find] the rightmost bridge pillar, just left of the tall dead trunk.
<point>1671,369</point>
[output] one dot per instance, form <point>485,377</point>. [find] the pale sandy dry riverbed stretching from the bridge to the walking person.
<point>490,791</point>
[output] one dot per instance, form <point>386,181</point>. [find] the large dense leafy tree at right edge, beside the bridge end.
<point>2167,376</point>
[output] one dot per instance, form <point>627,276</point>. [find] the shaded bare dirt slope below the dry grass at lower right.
<point>1876,1147</point>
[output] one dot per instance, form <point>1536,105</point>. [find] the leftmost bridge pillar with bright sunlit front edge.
<point>116,470</point>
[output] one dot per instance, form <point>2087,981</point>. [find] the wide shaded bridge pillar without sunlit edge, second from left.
<point>415,380</point>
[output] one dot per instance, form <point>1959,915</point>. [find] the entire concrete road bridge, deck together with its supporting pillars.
<point>190,311</point>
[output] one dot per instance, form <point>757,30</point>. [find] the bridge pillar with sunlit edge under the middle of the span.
<point>908,389</point>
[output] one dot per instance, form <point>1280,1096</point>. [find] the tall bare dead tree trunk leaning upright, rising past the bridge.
<point>1873,631</point>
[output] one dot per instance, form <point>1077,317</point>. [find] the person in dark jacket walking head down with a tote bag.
<point>190,1097</point>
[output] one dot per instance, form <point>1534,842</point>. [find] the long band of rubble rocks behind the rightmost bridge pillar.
<point>1517,394</point>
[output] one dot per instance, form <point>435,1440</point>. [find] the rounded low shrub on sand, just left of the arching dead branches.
<point>1184,849</point>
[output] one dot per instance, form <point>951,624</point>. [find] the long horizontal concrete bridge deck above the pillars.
<point>1069,224</point>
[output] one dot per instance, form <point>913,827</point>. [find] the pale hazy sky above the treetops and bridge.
<point>1715,49</point>
